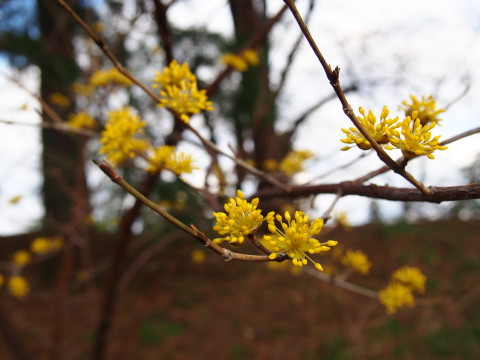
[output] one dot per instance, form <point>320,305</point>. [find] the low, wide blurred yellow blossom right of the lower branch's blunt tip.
<point>165,157</point>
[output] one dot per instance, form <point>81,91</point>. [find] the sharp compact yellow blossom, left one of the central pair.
<point>241,219</point>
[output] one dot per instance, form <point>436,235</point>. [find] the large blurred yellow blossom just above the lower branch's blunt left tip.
<point>120,138</point>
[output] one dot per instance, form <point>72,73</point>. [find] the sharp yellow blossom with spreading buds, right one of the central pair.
<point>295,238</point>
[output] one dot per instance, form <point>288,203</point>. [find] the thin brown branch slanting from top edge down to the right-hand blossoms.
<point>333,78</point>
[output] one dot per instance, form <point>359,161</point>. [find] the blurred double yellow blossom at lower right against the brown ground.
<point>399,292</point>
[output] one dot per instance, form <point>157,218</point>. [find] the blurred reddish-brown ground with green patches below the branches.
<point>177,309</point>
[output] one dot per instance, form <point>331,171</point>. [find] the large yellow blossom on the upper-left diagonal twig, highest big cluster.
<point>179,91</point>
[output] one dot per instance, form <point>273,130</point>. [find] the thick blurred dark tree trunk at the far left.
<point>65,193</point>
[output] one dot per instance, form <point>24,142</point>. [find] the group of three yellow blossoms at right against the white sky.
<point>415,137</point>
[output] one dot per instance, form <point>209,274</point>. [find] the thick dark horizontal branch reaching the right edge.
<point>436,195</point>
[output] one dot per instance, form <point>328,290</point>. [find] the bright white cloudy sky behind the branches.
<point>437,41</point>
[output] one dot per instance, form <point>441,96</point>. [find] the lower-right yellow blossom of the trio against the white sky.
<point>414,139</point>
